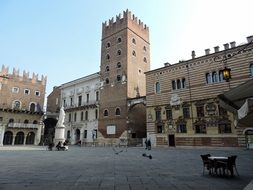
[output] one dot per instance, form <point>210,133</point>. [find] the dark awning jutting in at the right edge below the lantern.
<point>239,98</point>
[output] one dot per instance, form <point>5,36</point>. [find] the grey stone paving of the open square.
<point>32,168</point>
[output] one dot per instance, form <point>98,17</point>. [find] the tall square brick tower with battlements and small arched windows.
<point>125,57</point>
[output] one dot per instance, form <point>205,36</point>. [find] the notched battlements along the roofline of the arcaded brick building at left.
<point>25,77</point>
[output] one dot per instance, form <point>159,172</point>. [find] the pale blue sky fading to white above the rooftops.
<point>62,39</point>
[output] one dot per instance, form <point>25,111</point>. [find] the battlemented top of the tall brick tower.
<point>128,20</point>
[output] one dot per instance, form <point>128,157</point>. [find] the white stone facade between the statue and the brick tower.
<point>80,99</point>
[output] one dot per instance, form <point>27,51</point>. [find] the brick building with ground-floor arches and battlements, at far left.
<point>21,107</point>
